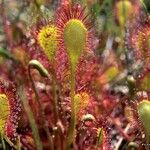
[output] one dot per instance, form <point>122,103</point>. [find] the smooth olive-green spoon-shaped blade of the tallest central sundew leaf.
<point>75,34</point>
